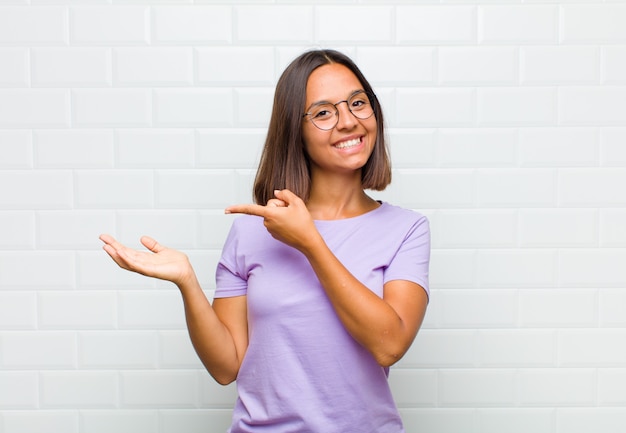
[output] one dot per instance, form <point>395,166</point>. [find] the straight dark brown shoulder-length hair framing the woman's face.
<point>284,162</point>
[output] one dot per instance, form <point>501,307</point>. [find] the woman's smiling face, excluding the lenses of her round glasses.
<point>346,147</point>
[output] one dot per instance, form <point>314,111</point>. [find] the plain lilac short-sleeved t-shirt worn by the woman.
<point>302,371</point>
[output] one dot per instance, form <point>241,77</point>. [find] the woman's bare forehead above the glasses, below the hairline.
<point>330,83</point>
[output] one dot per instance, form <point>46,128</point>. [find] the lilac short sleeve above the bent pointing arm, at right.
<point>412,259</point>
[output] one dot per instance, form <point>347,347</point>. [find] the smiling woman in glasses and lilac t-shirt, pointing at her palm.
<point>320,288</point>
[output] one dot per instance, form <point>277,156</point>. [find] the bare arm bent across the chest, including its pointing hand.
<point>385,326</point>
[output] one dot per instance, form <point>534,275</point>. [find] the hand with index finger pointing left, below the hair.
<point>285,217</point>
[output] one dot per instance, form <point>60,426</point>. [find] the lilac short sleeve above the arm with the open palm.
<point>230,275</point>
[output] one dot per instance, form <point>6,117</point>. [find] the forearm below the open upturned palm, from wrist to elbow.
<point>211,339</point>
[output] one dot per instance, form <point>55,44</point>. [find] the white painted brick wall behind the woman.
<point>507,124</point>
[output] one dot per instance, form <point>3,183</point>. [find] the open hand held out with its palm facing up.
<point>163,263</point>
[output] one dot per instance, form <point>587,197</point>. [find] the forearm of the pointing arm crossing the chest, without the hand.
<point>369,319</point>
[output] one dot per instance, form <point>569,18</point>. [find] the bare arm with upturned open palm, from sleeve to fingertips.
<point>219,333</point>
